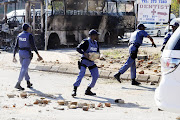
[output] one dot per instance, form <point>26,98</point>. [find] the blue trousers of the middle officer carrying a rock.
<point>94,74</point>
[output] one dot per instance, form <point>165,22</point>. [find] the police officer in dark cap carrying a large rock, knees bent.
<point>87,46</point>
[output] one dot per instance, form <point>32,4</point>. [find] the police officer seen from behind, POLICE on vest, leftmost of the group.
<point>25,43</point>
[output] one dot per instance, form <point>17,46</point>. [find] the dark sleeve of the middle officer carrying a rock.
<point>83,46</point>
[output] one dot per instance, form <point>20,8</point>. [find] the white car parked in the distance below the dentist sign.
<point>155,28</point>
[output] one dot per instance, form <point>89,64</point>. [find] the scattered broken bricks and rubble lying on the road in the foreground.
<point>63,104</point>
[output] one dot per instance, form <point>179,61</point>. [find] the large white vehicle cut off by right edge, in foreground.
<point>167,94</point>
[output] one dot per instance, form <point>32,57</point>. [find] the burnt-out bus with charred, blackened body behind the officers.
<point>70,21</point>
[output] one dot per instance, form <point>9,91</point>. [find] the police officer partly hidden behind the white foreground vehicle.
<point>169,34</point>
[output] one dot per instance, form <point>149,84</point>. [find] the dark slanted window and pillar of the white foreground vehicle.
<point>174,41</point>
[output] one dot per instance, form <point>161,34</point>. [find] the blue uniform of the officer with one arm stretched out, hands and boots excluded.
<point>135,42</point>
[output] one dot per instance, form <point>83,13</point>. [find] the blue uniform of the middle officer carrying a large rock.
<point>87,46</point>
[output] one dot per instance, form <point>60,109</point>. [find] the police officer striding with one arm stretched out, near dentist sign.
<point>134,43</point>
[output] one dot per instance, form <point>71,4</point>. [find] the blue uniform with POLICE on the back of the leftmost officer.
<point>25,43</point>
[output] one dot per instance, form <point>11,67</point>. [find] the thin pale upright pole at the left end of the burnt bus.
<point>46,16</point>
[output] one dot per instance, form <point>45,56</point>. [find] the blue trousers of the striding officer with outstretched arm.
<point>130,63</point>
